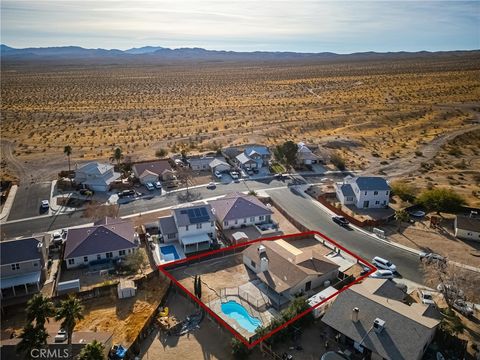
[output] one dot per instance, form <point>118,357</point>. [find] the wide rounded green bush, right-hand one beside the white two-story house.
<point>441,200</point>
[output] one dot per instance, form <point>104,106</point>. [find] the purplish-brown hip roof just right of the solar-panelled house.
<point>238,206</point>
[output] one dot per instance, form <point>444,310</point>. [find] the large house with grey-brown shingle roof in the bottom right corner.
<point>379,326</point>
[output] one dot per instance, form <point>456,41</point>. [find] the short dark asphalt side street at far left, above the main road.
<point>28,199</point>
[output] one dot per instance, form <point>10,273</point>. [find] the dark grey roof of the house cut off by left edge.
<point>15,251</point>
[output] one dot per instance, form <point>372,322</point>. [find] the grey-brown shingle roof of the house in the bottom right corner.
<point>406,330</point>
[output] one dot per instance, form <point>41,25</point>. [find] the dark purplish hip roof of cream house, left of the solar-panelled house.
<point>100,238</point>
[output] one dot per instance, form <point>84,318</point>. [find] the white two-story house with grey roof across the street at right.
<point>364,192</point>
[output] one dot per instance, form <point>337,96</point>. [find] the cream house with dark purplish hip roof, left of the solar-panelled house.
<point>107,240</point>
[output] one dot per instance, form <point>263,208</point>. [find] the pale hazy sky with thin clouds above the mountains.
<point>247,25</point>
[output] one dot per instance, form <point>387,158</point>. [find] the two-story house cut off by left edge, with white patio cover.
<point>22,265</point>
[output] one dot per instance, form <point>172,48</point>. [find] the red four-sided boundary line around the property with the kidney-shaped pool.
<point>163,269</point>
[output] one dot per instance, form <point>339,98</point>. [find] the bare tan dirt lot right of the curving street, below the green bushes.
<point>442,241</point>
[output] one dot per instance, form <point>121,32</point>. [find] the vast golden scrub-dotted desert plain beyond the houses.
<point>380,115</point>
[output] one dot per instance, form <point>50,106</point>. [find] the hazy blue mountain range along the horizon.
<point>156,54</point>
